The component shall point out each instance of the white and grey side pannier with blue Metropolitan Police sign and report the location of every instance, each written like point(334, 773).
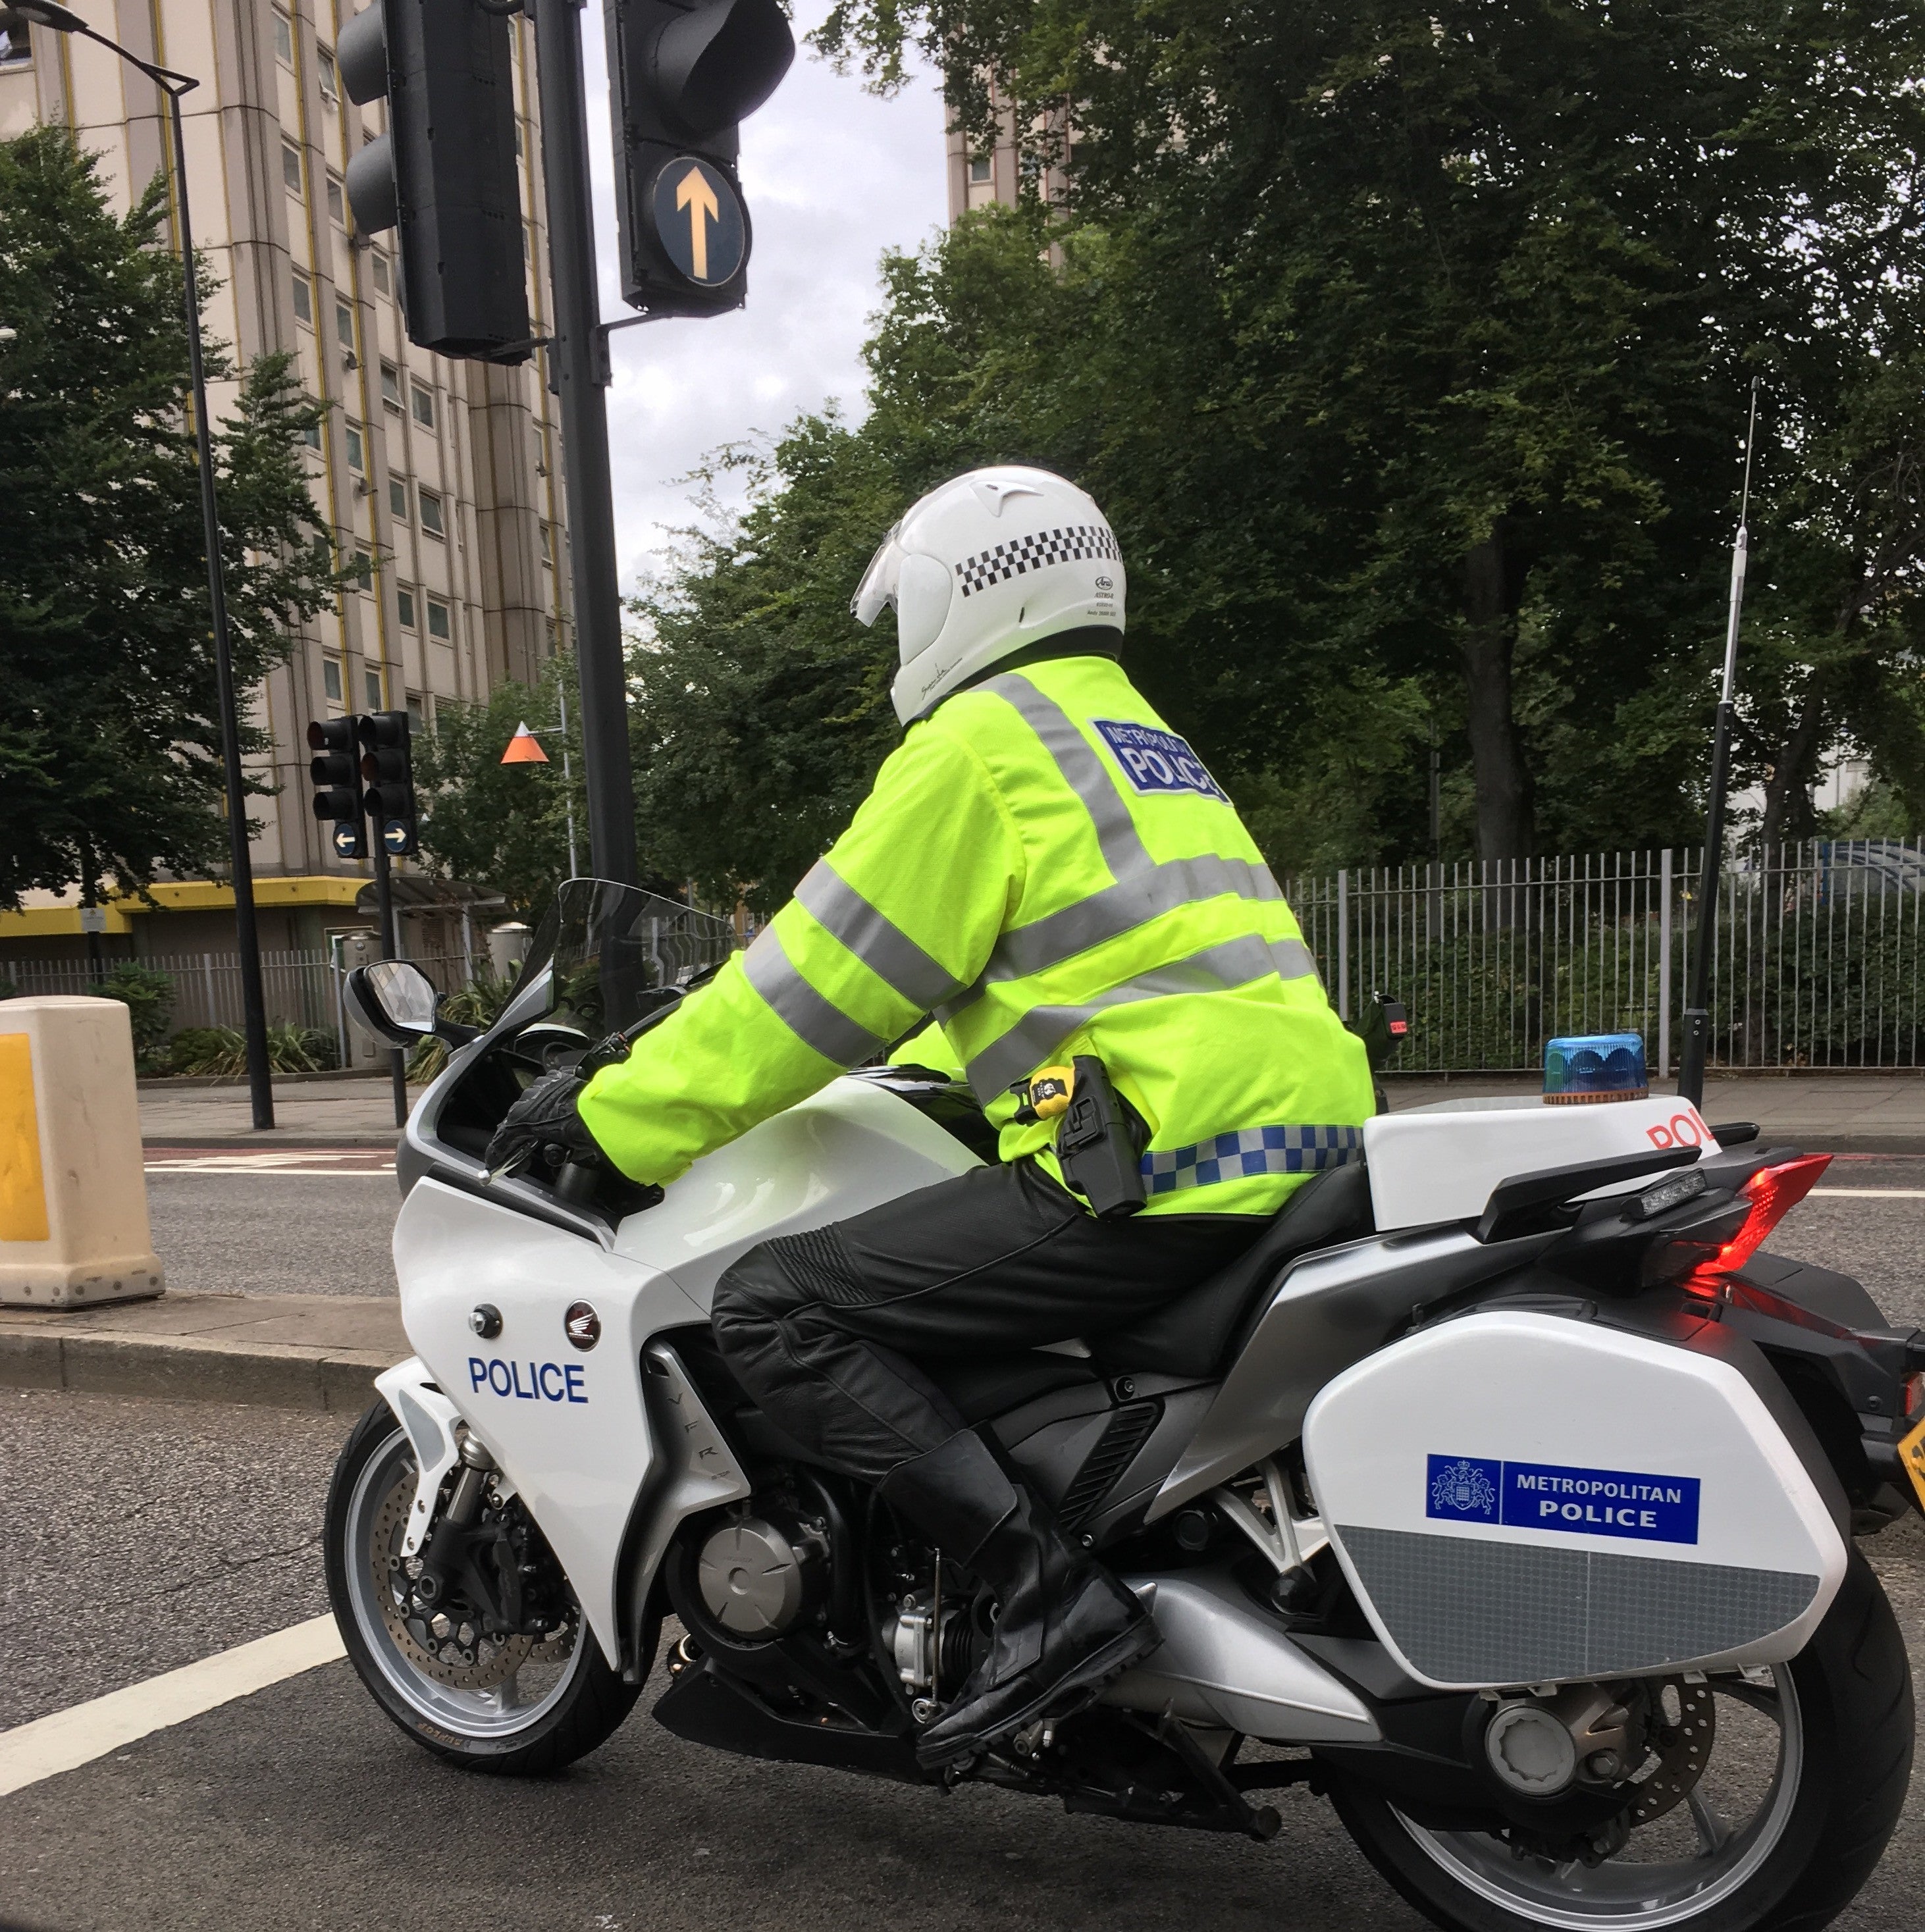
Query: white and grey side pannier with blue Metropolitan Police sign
point(1524, 1498)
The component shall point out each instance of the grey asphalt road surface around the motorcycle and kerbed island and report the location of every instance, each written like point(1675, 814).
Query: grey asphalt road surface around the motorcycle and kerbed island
point(136, 1537)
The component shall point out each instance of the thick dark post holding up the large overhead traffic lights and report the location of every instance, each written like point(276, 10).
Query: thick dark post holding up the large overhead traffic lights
point(579, 378)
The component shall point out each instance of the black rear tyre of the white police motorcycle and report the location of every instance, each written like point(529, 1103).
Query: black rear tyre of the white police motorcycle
point(1841, 1778)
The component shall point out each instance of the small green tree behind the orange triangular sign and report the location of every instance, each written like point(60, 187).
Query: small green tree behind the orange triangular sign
point(494, 824)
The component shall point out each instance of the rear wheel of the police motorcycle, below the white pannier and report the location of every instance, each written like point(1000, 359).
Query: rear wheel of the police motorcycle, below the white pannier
point(1775, 1833)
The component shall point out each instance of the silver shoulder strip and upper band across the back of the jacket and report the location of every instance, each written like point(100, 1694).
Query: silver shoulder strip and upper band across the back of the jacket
point(1143, 890)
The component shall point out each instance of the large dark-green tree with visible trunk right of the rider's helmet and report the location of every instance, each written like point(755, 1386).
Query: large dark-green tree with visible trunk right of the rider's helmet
point(1410, 345)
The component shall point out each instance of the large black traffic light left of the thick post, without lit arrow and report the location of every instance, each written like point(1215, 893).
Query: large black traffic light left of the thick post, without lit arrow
point(444, 173)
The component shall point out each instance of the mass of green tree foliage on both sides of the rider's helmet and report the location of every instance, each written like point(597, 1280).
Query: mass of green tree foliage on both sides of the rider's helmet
point(1408, 349)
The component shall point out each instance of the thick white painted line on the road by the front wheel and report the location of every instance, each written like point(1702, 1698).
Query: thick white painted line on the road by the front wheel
point(74, 1738)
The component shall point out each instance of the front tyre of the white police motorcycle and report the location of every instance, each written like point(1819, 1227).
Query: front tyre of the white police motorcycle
point(500, 1730)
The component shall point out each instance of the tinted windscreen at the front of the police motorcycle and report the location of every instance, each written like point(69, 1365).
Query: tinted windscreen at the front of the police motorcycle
point(616, 948)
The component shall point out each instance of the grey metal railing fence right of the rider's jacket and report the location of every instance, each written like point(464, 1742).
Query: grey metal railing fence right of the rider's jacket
point(1820, 953)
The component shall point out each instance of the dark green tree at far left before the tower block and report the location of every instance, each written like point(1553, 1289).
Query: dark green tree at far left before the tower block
point(111, 731)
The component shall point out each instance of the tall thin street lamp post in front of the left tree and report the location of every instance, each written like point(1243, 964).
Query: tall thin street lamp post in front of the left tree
point(254, 1002)
